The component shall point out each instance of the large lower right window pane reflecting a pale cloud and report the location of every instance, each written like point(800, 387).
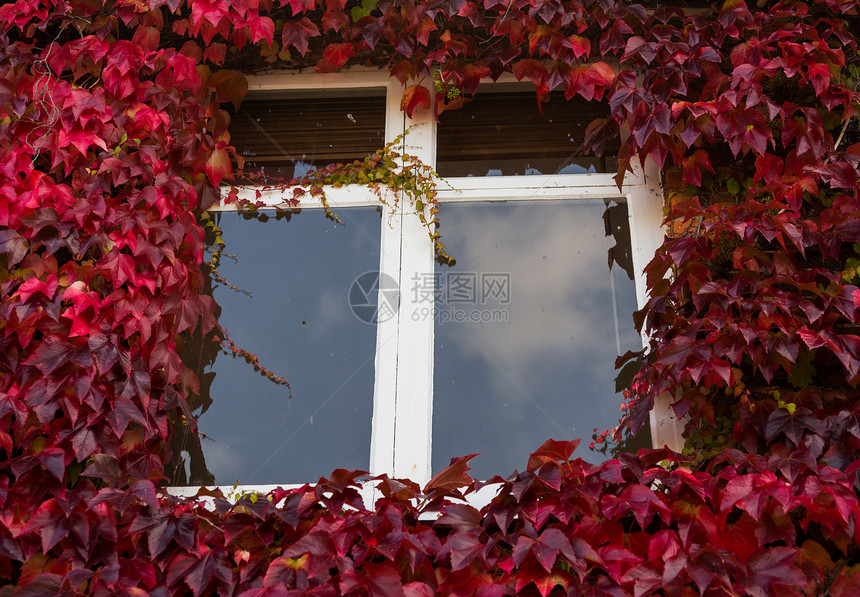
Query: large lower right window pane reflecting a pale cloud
point(544, 367)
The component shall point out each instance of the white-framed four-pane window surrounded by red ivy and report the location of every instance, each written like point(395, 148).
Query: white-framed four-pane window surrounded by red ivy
point(514, 344)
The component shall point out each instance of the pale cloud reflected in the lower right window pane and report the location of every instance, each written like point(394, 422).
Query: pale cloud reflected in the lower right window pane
point(552, 309)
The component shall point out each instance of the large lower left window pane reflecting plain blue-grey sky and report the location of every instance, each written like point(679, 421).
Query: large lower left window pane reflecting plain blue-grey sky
point(300, 326)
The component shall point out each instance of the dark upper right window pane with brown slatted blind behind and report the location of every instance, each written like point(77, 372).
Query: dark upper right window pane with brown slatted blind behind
point(506, 134)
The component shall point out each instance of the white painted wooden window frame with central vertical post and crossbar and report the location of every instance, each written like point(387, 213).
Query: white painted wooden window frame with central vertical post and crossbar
point(402, 425)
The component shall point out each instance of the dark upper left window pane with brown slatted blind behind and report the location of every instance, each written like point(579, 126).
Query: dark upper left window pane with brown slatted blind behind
point(289, 136)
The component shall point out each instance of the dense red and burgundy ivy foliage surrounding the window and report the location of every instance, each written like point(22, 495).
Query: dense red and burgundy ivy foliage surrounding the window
point(112, 141)
